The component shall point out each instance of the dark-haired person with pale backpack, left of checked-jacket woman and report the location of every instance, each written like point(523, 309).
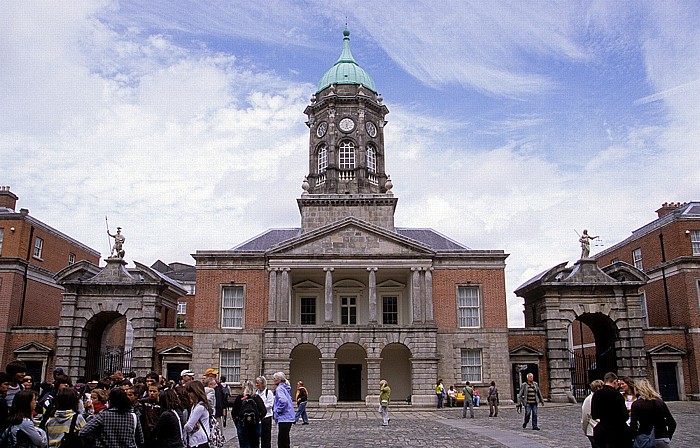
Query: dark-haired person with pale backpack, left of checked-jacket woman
point(66, 422)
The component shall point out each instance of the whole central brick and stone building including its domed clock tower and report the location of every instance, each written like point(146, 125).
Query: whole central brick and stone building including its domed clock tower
point(348, 298)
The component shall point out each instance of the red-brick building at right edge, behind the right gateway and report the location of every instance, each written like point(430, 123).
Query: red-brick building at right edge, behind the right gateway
point(667, 250)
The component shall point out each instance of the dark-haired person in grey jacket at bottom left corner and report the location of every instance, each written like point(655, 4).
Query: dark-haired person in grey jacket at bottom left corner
point(23, 434)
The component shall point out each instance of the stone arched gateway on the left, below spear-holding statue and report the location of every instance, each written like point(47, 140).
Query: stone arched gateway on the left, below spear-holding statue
point(109, 317)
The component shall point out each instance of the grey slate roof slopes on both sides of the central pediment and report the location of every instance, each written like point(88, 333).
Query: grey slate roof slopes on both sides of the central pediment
point(273, 237)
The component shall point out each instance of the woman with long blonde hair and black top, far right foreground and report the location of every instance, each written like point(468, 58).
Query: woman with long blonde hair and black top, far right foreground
point(651, 417)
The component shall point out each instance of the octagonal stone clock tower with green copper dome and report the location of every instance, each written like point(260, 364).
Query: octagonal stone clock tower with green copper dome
point(346, 149)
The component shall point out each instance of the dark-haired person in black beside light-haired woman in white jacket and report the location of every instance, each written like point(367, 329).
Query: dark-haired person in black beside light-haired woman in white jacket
point(248, 411)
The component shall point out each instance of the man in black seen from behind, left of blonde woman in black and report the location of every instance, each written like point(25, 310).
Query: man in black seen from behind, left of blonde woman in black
point(608, 407)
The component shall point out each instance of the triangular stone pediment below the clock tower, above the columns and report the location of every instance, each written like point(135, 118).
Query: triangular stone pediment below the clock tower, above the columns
point(350, 237)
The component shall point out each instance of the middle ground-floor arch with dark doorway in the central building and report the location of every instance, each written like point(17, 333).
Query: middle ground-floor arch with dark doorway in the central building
point(351, 370)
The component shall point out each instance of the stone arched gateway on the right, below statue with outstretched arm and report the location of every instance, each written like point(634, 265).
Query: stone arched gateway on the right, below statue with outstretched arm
point(563, 299)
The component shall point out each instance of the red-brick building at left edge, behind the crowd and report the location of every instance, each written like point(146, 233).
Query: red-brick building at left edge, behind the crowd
point(31, 253)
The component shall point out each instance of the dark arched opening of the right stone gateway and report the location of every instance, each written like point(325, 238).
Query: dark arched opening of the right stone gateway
point(592, 347)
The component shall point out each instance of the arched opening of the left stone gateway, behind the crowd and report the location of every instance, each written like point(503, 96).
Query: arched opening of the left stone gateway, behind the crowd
point(107, 347)
